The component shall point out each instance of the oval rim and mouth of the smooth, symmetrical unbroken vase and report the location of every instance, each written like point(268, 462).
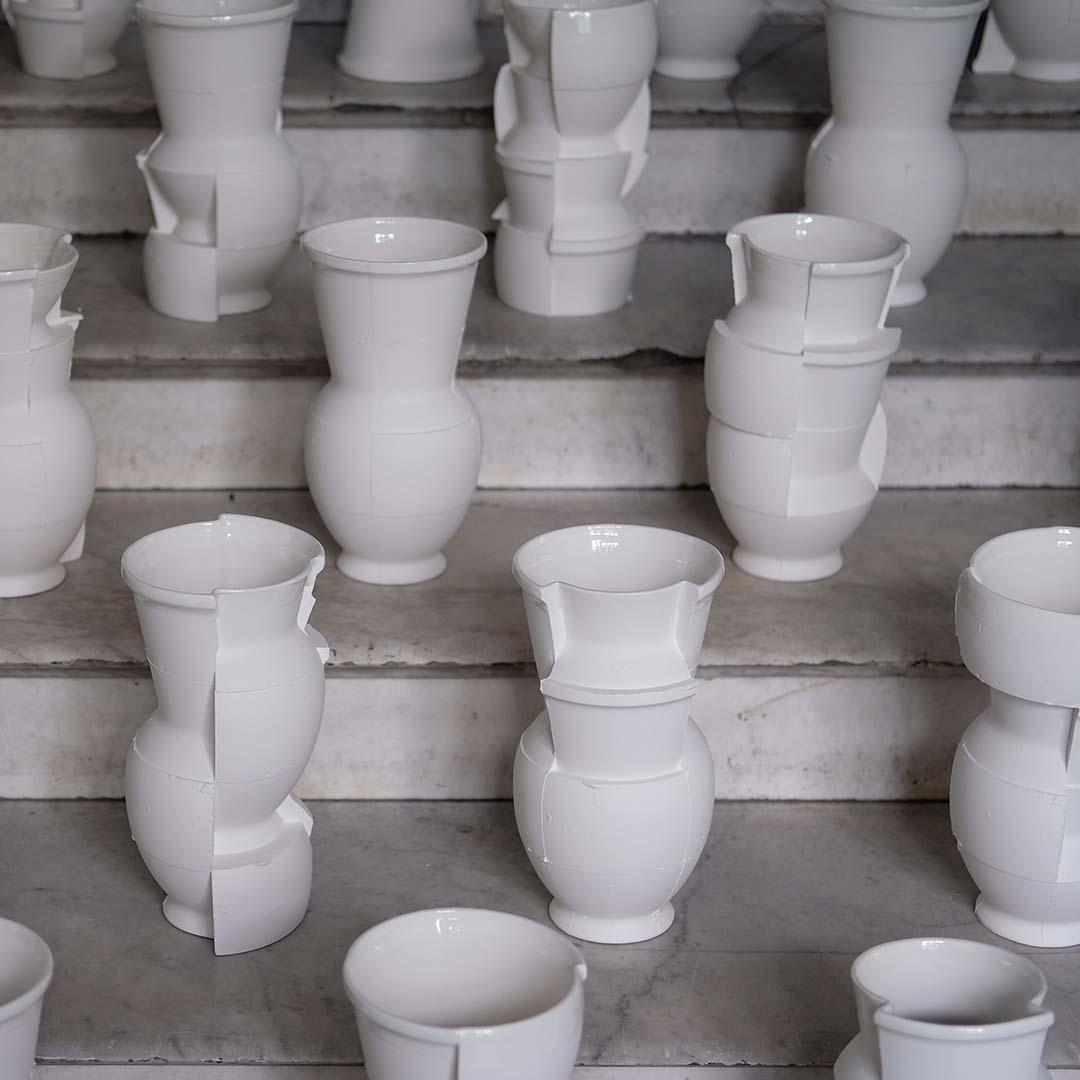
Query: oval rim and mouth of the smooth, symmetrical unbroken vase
point(395, 246)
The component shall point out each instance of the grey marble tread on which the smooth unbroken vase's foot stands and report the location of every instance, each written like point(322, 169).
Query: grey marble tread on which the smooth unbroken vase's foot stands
point(889, 611)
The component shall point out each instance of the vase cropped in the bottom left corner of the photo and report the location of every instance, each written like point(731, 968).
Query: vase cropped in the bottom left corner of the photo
point(26, 970)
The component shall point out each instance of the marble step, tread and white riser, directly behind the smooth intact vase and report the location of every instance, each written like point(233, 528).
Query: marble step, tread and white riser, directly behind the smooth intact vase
point(984, 391)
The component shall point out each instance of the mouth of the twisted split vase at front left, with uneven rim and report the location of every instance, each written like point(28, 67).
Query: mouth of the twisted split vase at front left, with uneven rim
point(235, 553)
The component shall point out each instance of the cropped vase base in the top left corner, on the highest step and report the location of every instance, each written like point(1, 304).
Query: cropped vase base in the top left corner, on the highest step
point(67, 39)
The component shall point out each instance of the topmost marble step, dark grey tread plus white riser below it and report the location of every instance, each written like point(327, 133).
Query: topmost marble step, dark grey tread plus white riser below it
point(720, 153)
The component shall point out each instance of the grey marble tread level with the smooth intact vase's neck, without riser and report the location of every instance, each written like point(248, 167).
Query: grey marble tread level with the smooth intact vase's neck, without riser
point(993, 302)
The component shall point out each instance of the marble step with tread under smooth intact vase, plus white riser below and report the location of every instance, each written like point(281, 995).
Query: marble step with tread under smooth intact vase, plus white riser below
point(852, 688)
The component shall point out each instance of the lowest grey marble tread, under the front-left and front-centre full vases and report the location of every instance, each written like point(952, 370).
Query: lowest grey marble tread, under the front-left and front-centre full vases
point(753, 977)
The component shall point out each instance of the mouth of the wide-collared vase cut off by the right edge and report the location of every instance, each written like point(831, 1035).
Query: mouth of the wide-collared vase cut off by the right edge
point(1038, 569)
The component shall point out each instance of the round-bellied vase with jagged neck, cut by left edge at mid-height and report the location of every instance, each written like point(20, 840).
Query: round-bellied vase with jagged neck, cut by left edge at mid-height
point(48, 452)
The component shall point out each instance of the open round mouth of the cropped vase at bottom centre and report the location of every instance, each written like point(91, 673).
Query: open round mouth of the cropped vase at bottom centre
point(442, 974)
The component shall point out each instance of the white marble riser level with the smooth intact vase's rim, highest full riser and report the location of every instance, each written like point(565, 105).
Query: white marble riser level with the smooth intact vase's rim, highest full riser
point(1023, 182)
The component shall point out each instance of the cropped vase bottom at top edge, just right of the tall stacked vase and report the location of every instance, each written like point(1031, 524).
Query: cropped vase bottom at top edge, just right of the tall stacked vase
point(701, 39)
